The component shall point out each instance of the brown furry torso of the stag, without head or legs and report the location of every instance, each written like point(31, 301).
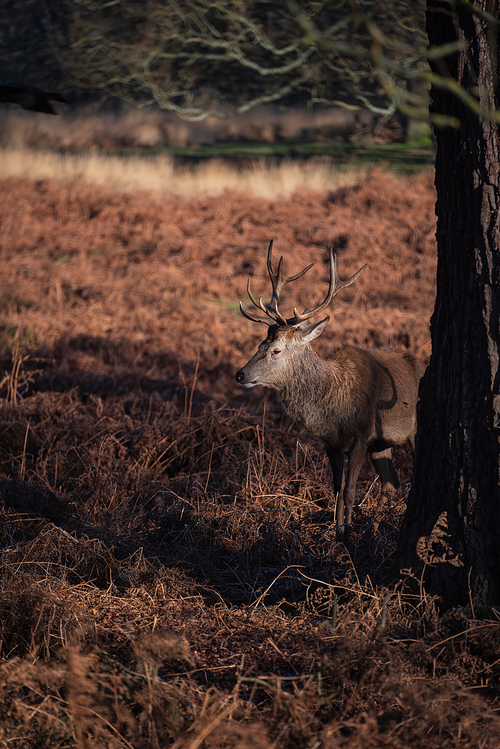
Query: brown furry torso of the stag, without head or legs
point(355, 395)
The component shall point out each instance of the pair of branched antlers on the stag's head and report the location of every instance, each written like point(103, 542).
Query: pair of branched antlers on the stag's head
point(279, 281)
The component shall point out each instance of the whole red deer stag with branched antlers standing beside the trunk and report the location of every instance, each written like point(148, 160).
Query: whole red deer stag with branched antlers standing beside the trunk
point(355, 400)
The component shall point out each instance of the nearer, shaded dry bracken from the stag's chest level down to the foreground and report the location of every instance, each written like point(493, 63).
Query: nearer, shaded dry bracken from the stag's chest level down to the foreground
point(171, 577)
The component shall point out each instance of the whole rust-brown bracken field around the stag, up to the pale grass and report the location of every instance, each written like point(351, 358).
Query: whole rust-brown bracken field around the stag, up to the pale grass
point(170, 575)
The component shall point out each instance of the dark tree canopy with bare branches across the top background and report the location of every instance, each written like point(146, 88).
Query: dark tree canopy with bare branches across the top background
point(202, 58)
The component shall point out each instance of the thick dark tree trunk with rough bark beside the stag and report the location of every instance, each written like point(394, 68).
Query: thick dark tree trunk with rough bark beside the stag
point(457, 461)
